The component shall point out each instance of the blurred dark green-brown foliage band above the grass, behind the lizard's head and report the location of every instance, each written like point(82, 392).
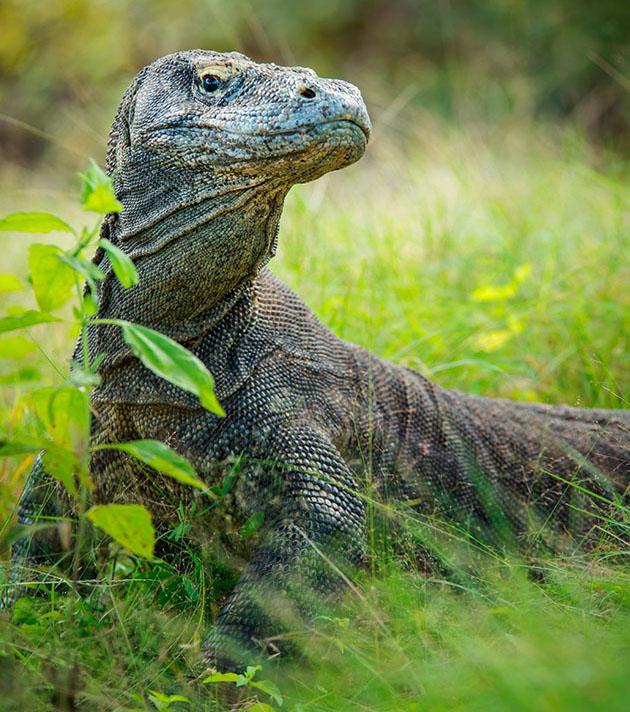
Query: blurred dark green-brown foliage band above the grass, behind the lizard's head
point(65, 63)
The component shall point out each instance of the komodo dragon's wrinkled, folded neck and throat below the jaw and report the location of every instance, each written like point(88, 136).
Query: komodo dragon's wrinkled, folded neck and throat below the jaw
point(194, 259)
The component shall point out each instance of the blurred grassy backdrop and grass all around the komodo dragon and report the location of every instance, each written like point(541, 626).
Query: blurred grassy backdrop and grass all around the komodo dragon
point(483, 240)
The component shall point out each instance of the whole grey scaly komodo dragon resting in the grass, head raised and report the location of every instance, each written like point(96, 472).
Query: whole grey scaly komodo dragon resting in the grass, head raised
point(203, 151)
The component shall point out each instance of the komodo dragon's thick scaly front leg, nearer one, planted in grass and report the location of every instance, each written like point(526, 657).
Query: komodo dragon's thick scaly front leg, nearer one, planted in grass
point(315, 527)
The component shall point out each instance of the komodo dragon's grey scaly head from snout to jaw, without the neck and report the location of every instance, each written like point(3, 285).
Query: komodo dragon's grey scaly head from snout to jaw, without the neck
point(203, 111)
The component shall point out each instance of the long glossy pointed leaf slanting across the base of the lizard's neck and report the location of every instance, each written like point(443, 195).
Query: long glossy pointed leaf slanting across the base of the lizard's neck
point(173, 362)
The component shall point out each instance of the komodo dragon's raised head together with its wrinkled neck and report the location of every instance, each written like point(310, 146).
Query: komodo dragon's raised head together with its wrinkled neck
point(203, 150)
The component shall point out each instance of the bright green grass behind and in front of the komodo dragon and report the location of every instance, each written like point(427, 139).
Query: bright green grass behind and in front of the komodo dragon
point(493, 260)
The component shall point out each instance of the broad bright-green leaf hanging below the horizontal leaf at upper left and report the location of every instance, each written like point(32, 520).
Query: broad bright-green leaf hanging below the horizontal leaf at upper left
point(53, 280)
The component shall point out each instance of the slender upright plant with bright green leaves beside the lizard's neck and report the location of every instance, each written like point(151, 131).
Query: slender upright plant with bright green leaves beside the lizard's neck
point(64, 410)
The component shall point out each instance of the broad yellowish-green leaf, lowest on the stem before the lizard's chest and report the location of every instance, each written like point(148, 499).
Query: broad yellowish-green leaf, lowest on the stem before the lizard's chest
point(128, 524)
